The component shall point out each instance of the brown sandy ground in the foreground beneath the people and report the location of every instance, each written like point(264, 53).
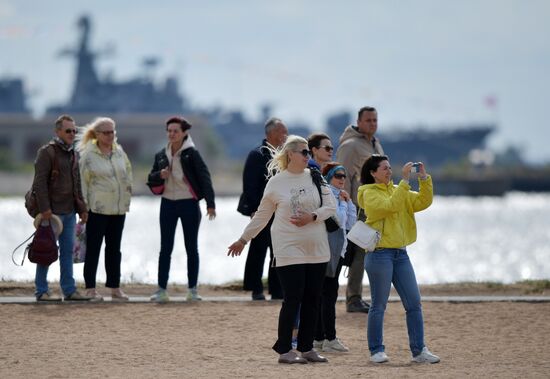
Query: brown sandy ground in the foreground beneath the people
point(233, 340)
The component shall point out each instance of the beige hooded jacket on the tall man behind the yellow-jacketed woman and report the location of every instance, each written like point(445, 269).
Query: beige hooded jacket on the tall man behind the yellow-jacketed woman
point(353, 151)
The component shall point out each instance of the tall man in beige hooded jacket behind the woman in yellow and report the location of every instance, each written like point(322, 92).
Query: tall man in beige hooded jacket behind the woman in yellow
point(357, 143)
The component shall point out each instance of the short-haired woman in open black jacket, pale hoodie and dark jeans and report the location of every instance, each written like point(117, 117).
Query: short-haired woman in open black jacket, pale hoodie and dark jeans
point(181, 176)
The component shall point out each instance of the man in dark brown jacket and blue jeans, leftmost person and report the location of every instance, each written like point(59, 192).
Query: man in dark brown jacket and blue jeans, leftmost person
point(58, 192)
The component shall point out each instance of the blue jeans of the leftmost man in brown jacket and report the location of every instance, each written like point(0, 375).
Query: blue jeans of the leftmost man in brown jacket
point(66, 242)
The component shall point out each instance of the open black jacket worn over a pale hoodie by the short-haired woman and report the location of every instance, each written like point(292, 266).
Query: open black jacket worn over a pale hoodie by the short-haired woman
point(194, 169)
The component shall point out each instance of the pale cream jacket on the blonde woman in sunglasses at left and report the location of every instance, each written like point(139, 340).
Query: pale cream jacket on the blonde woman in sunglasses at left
point(106, 180)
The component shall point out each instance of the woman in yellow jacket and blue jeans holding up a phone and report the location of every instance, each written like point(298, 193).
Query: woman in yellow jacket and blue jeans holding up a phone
point(390, 209)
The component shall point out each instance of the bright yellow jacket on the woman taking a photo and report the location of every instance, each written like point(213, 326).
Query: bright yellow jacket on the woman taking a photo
point(390, 209)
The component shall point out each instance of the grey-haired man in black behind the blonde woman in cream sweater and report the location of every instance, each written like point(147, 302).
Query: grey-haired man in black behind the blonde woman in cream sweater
point(254, 182)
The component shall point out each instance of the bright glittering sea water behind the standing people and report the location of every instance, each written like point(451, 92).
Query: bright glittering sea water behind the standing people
point(502, 239)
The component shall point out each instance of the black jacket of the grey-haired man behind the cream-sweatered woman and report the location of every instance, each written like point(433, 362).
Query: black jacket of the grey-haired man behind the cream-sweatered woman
point(254, 179)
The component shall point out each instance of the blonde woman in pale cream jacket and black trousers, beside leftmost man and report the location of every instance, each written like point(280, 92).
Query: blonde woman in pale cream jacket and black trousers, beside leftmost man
point(106, 175)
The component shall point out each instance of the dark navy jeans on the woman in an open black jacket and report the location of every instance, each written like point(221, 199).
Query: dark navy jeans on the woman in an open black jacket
point(188, 211)
